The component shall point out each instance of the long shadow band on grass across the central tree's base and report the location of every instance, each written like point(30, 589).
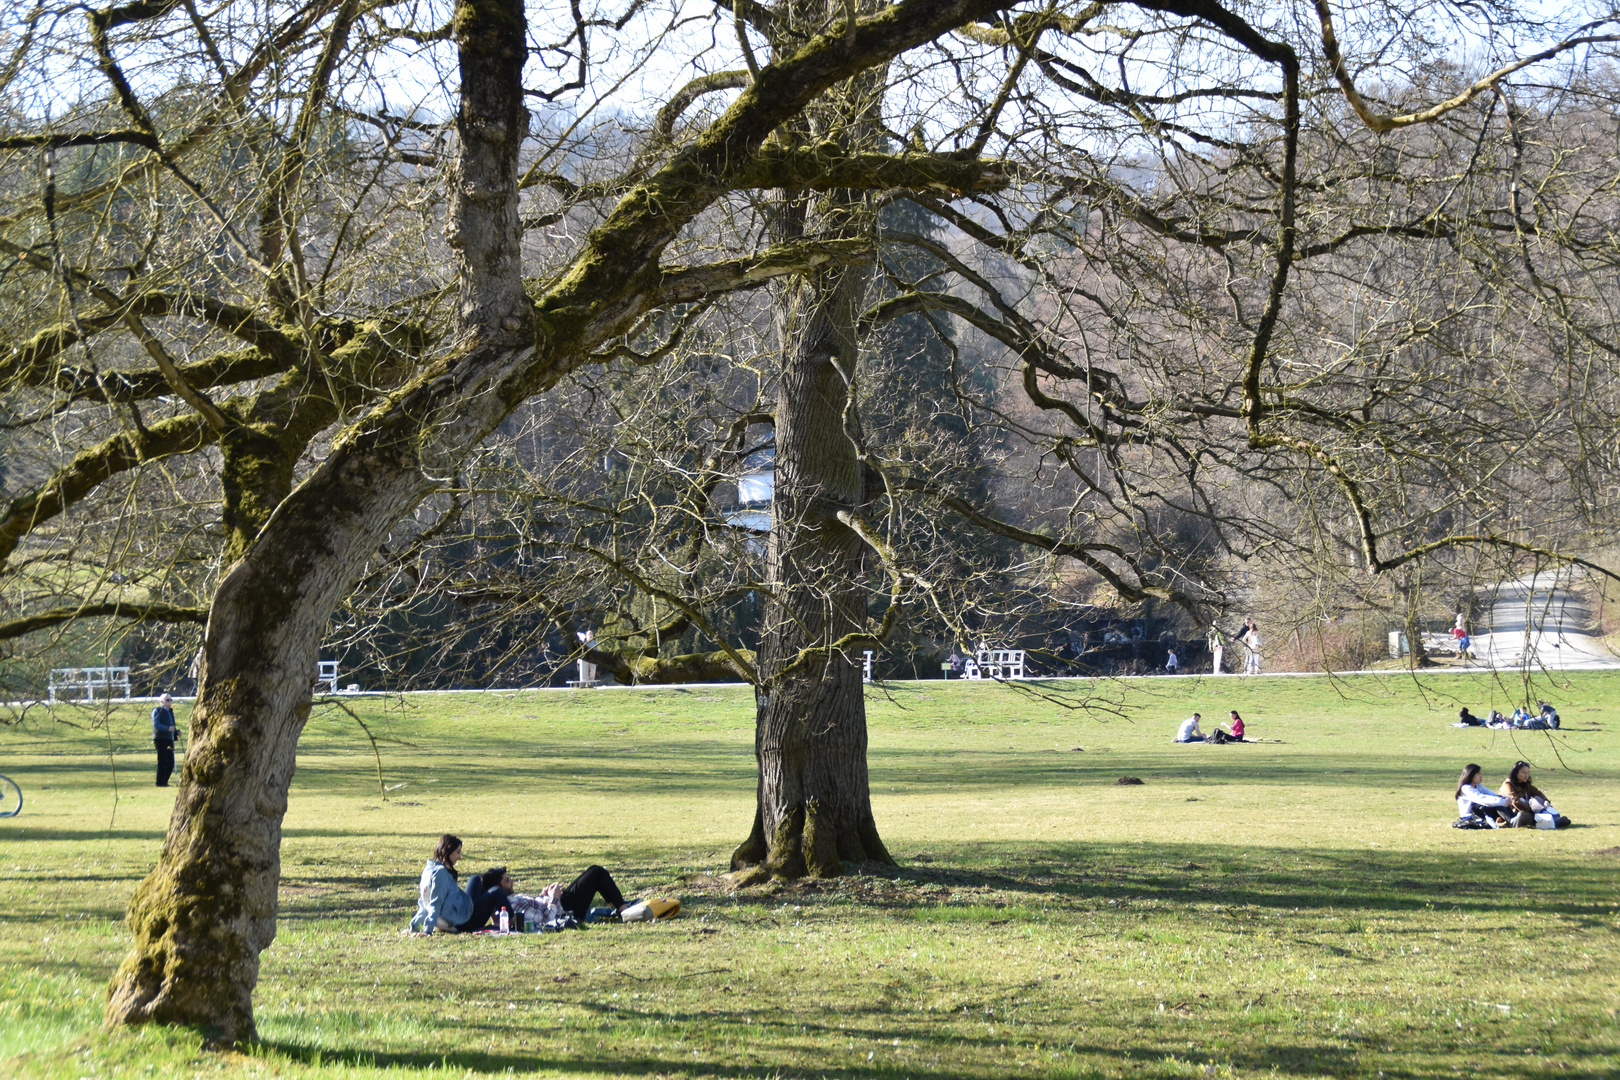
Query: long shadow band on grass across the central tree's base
point(1065, 880)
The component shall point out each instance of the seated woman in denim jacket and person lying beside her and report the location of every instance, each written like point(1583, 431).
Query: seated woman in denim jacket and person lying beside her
point(445, 906)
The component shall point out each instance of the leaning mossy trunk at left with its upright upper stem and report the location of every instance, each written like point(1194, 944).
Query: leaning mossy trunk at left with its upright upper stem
point(208, 911)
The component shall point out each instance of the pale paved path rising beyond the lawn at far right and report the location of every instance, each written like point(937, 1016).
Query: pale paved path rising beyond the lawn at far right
point(1543, 623)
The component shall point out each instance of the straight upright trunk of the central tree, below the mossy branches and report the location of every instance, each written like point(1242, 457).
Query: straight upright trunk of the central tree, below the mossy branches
point(814, 809)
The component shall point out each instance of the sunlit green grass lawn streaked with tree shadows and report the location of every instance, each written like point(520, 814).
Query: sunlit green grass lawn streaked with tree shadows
point(1297, 908)
